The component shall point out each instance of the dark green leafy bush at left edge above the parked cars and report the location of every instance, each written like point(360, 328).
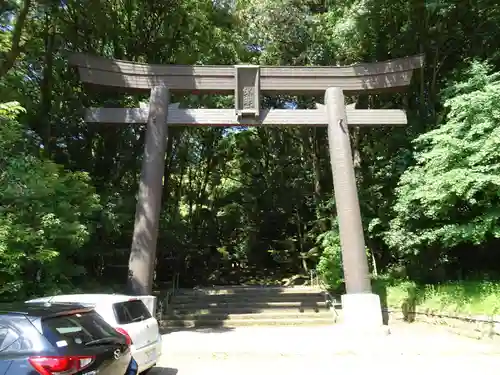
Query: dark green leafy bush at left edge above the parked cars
point(45, 217)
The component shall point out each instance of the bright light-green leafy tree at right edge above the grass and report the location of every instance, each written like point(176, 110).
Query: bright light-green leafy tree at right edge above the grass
point(450, 196)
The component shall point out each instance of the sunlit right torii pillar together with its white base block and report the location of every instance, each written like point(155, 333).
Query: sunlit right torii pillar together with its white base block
point(360, 307)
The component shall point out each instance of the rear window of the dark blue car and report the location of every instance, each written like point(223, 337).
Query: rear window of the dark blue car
point(76, 329)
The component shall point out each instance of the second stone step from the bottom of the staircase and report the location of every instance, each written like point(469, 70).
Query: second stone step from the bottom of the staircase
point(251, 316)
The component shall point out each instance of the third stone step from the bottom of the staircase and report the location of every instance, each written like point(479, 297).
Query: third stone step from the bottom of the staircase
point(247, 309)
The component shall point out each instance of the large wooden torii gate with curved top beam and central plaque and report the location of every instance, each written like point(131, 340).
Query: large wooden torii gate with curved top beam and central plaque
point(248, 82)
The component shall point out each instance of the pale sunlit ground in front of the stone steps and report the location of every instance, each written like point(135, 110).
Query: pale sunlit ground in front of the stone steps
point(410, 348)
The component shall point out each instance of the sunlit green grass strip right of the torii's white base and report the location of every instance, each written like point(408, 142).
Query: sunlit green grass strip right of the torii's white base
point(464, 298)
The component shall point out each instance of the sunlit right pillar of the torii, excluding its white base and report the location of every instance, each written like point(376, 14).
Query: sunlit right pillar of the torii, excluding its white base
point(354, 260)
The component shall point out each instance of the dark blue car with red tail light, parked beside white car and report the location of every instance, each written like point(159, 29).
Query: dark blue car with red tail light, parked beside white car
point(55, 339)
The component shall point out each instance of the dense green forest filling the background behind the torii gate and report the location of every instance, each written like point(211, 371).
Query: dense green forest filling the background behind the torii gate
point(253, 203)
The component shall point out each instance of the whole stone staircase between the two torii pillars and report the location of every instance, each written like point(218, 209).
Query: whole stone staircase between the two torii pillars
point(236, 306)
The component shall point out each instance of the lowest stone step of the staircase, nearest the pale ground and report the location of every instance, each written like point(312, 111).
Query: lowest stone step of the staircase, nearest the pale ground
point(246, 322)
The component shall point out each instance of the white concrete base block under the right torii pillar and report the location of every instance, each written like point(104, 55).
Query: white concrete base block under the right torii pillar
point(362, 312)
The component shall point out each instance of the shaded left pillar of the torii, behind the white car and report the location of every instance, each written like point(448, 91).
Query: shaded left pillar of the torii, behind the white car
point(147, 215)
